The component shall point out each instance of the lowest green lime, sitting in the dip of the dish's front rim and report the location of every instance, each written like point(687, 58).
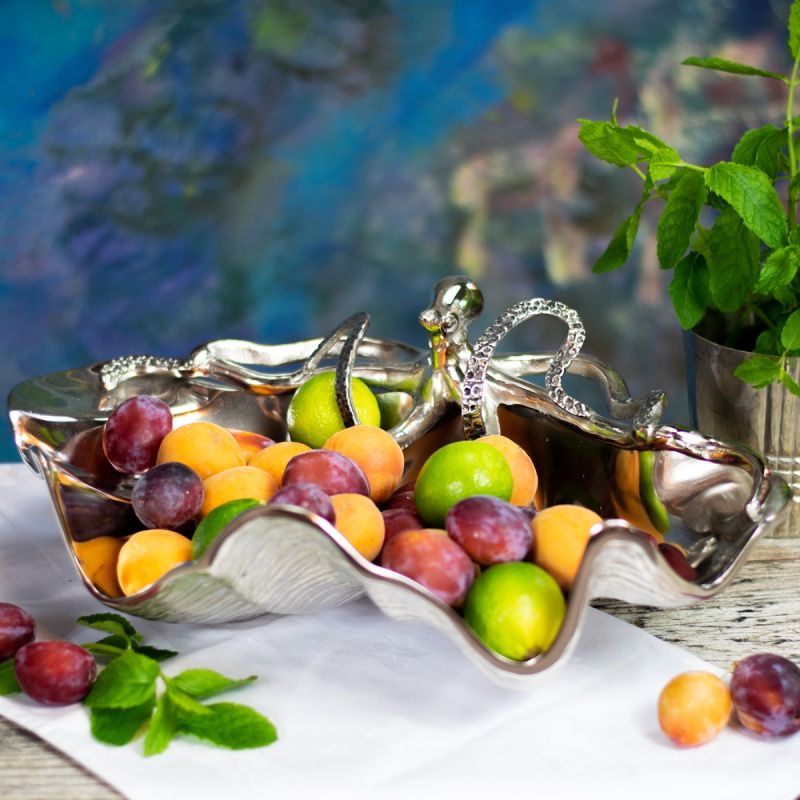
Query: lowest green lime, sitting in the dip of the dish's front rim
point(515, 608)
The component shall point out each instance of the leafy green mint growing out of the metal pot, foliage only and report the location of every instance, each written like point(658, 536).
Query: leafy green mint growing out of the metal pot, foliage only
point(723, 228)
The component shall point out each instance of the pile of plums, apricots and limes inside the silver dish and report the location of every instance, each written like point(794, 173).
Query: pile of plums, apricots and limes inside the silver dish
point(467, 529)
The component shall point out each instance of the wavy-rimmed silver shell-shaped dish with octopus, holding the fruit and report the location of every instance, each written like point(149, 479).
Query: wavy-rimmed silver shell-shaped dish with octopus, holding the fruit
point(719, 499)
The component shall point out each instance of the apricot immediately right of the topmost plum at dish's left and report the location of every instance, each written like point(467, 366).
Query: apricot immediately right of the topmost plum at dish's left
point(205, 447)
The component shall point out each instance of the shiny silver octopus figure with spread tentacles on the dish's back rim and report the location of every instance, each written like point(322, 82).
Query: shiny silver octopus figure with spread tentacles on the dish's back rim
point(417, 386)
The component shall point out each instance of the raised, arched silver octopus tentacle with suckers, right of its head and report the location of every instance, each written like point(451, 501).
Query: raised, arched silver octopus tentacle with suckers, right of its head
point(472, 392)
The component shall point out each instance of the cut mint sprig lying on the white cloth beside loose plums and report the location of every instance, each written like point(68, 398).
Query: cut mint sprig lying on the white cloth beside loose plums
point(125, 698)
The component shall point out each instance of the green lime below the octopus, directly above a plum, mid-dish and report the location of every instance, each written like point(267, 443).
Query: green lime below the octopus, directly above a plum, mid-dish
point(456, 471)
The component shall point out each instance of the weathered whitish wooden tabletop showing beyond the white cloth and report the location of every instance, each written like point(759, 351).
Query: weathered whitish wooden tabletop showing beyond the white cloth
point(759, 612)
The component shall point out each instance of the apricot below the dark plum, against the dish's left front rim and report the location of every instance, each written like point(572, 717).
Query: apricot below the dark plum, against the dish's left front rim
point(147, 555)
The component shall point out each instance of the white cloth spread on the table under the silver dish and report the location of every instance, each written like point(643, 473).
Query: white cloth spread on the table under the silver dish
point(369, 707)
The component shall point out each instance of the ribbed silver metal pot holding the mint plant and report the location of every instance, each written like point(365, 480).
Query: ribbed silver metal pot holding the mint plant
point(765, 420)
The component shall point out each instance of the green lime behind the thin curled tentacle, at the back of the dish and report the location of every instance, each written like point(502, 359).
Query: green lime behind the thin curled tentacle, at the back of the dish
point(313, 416)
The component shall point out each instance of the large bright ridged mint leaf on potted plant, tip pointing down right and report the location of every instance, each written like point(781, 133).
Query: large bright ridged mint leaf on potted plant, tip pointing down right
point(751, 193)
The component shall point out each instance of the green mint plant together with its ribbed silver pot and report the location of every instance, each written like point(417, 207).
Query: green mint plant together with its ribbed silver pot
point(730, 234)
